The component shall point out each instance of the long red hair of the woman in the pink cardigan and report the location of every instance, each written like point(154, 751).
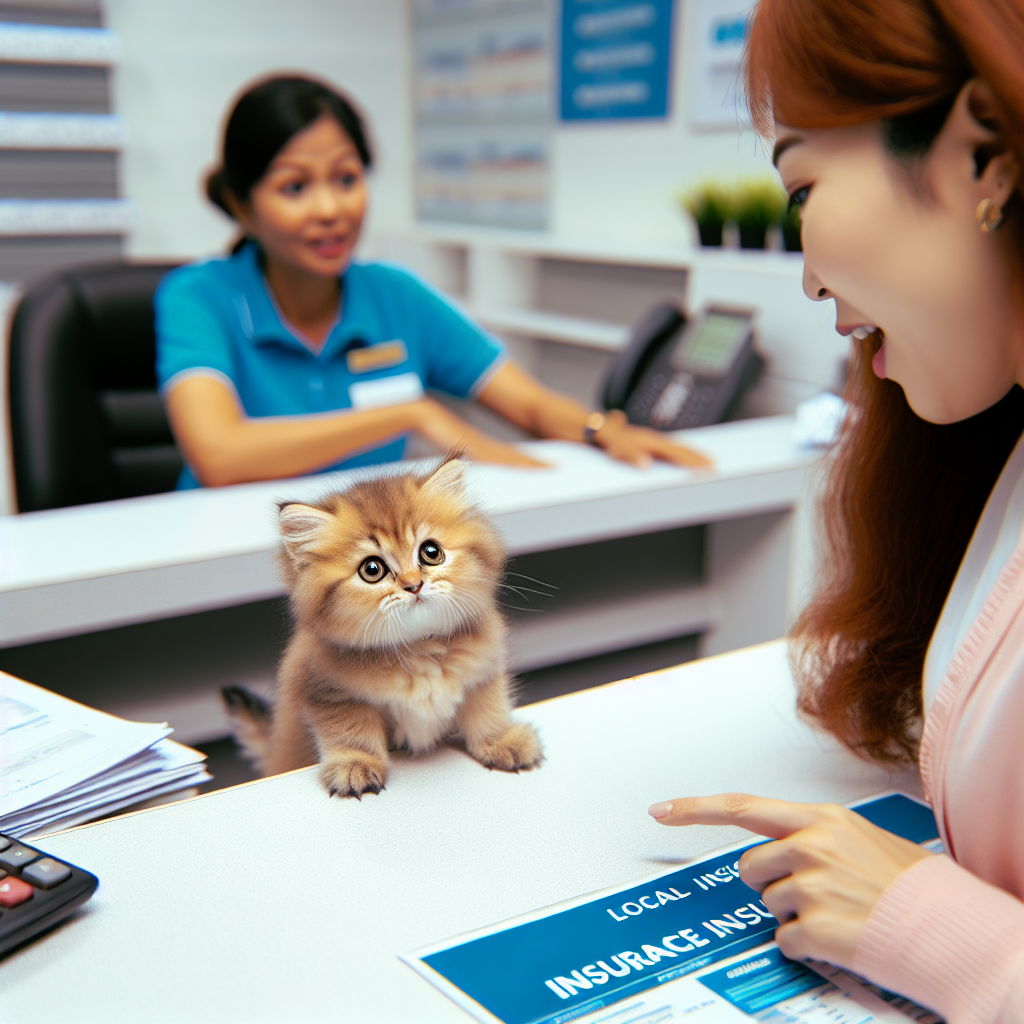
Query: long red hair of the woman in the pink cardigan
point(903, 496)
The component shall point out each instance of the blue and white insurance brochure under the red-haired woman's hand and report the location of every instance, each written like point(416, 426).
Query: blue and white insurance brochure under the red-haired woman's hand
point(692, 943)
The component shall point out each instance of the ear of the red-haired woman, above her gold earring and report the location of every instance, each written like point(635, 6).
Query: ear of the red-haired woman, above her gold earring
point(974, 130)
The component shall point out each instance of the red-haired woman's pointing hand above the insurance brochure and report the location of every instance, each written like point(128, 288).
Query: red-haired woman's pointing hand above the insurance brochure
point(824, 876)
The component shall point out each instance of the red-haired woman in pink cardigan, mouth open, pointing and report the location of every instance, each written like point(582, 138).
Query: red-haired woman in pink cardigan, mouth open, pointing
point(899, 132)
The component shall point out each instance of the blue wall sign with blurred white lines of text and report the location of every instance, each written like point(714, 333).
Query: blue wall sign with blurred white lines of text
point(616, 59)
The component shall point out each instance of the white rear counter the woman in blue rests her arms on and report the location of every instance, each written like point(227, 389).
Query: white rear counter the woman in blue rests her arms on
point(97, 567)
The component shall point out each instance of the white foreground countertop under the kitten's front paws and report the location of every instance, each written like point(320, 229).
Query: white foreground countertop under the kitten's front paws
point(271, 903)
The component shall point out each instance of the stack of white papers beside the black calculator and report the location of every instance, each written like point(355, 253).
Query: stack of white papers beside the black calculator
point(63, 764)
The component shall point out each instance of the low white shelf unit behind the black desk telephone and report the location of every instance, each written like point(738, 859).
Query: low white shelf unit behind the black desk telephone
point(565, 307)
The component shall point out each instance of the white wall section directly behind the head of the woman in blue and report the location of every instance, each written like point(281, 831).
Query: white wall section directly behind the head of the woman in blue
point(184, 61)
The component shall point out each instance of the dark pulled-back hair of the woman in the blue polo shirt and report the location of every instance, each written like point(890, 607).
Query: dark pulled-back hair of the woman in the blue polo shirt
point(264, 122)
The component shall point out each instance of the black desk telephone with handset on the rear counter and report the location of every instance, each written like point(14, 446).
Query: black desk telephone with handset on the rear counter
point(675, 374)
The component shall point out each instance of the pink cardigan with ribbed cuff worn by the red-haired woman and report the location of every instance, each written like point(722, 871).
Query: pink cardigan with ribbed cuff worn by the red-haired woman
point(950, 932)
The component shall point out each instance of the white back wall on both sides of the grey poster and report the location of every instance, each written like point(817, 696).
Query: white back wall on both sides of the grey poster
point(185, 60)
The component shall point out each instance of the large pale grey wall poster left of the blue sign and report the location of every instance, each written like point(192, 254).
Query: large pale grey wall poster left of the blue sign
point(483, 111)
